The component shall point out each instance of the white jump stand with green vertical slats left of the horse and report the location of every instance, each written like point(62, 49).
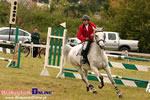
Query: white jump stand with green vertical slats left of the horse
point(54, 57)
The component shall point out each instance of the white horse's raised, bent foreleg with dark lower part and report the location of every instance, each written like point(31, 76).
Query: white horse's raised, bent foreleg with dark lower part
point(100, 77)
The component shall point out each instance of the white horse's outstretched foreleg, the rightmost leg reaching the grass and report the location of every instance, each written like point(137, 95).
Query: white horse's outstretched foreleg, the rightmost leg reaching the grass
point(107, 69)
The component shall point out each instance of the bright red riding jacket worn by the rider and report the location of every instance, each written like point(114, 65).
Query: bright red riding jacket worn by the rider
point(83, 32)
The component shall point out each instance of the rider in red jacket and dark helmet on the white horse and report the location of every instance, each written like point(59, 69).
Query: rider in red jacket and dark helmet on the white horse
point(86, 34)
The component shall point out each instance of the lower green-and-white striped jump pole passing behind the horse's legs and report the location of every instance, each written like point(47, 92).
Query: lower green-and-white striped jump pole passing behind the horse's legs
point(118, 80)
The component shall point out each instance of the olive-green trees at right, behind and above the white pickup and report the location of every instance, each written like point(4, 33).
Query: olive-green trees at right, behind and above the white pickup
point(131, 19)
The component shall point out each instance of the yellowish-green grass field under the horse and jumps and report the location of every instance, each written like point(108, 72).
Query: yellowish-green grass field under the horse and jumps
point(65, 89)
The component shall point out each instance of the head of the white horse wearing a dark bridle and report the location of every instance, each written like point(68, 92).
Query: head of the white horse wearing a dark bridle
point(99, 37)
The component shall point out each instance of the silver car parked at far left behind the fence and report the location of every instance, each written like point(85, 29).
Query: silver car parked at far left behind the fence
point(23, 35)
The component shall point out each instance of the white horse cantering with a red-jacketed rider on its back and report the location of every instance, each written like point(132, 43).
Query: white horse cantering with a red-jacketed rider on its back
point(97, 60)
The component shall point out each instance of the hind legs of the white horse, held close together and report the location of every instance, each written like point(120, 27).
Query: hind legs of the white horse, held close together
point(85, 80)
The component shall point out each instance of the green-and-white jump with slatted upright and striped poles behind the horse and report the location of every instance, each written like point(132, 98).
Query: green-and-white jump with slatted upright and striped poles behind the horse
point(54, 59)
